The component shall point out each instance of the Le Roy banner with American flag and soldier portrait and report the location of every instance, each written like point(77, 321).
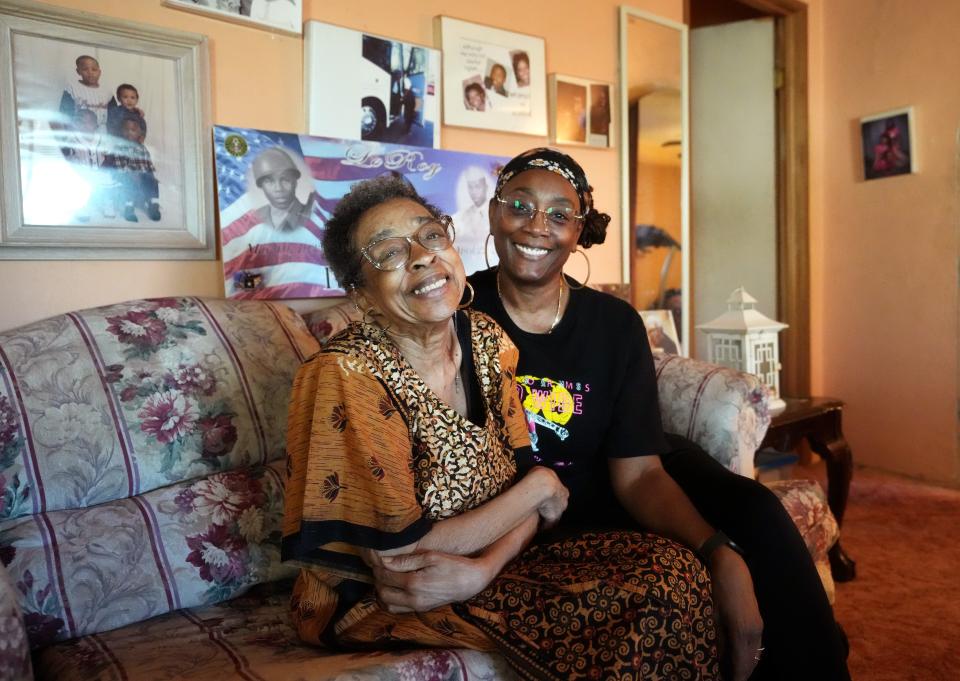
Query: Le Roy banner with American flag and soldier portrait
point(276, 190)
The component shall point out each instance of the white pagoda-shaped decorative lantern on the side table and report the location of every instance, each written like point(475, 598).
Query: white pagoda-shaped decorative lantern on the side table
point(744, 339)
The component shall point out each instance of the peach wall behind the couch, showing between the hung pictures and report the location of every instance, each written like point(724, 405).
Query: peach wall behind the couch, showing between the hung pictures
point(257, 81)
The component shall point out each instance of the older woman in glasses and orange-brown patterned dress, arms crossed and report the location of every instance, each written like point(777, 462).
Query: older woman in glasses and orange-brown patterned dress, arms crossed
point(403, 434)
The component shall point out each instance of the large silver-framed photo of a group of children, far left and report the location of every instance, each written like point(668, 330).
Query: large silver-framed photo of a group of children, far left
point(104, 138)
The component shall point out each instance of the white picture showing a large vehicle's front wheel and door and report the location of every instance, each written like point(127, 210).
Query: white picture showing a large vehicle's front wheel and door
point(363, 86)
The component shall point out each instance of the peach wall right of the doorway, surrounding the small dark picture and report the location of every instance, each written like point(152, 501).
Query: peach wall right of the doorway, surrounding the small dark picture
point(884, 252)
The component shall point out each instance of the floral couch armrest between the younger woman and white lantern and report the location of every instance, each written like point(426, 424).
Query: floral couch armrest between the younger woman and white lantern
point(722, 410)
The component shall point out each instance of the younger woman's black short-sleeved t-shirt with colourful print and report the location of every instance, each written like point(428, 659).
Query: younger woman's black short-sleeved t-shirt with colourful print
point(589, 391)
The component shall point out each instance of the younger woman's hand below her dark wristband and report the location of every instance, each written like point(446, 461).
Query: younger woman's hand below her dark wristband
point(738, 611)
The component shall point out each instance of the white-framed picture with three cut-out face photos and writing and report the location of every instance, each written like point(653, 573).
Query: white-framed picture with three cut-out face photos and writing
point(492, 78)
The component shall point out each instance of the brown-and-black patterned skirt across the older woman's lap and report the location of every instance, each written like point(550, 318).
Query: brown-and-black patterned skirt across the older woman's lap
point(607, 605)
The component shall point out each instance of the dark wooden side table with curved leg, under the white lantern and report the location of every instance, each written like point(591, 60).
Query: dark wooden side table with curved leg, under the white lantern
point(818, 420)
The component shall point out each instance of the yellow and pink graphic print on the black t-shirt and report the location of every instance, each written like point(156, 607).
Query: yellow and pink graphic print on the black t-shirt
point(550, 404)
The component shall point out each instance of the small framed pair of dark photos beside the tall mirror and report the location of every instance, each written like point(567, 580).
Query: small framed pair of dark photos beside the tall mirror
point(580, 111)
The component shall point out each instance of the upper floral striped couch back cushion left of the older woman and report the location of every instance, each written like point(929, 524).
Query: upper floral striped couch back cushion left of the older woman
point(114, 401)
